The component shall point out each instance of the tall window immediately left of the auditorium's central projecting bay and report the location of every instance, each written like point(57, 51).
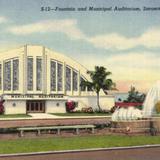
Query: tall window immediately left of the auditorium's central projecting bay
point(15, 74)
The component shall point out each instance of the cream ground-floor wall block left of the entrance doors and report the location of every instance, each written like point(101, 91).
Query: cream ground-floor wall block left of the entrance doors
point(15, 107)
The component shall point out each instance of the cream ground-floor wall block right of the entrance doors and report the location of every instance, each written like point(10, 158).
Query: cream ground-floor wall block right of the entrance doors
point(55, 106)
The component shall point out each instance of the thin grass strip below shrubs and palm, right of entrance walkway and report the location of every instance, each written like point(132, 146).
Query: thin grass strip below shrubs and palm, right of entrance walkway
point(81, 114)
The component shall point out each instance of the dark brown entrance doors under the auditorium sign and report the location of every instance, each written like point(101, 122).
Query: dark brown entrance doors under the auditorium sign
point(35, 106)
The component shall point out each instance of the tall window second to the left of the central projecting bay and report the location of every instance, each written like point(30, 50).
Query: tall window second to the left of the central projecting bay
point(7, 76)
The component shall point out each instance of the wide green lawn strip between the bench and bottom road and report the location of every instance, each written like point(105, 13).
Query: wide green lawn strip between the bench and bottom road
point(69, 143)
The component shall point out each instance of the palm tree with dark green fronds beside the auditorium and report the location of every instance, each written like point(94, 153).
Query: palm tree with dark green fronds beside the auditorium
point(99, 81)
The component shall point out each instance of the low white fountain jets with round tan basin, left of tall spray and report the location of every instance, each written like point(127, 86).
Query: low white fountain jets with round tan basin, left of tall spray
point(131, 118)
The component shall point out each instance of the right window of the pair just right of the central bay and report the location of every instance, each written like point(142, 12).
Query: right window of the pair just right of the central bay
point(59, 76)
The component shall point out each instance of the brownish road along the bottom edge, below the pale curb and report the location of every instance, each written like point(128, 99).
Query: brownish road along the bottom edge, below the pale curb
point(128, 154)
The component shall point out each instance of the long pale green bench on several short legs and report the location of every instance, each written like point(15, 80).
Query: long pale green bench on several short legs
point(58, 128)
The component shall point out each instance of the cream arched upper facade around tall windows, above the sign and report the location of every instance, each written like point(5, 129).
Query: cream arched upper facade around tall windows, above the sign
point(30, 51)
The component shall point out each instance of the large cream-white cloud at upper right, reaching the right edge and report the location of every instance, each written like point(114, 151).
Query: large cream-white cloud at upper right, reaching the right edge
point(149, 39)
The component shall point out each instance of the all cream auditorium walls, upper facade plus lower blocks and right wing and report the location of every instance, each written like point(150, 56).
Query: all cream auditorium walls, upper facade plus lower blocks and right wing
point(85, 98)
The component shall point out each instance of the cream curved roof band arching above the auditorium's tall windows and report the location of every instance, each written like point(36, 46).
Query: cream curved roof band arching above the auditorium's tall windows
point(38, 50)
